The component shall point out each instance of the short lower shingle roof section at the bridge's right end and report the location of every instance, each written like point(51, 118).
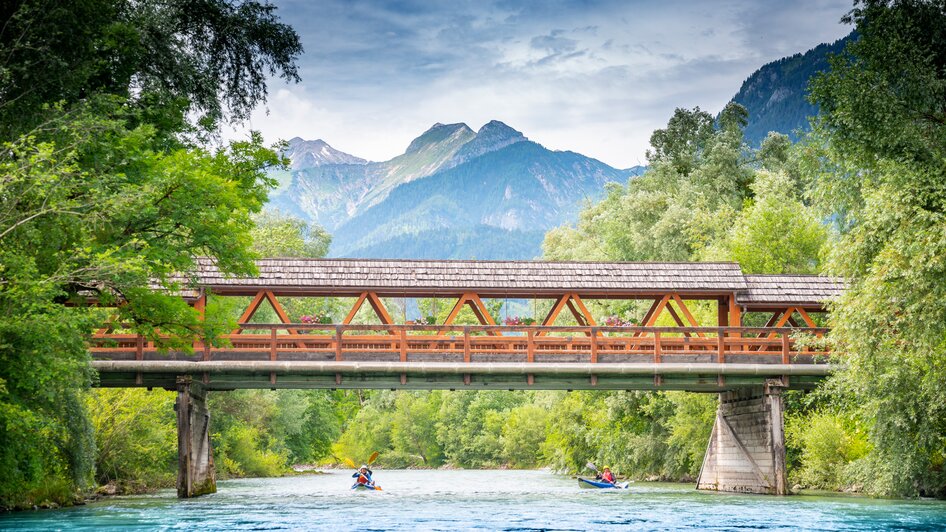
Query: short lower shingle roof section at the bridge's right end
point(789, 289)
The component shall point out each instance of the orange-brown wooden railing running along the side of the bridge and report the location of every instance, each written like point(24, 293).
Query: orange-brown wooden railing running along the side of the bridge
point(476, 343)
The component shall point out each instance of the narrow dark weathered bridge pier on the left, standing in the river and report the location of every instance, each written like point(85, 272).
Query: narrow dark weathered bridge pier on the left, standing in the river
point(195, 462)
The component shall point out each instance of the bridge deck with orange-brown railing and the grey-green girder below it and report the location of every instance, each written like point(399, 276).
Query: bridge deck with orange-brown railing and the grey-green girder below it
point(475, 357)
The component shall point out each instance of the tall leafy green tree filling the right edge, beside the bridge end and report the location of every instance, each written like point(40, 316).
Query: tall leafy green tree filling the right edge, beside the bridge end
point(878, 160)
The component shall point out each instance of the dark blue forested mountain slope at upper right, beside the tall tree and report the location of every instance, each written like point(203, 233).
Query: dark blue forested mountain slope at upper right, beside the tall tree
point(775, 95)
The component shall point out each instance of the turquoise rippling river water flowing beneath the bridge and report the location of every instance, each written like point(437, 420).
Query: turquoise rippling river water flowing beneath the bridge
point(486, 500)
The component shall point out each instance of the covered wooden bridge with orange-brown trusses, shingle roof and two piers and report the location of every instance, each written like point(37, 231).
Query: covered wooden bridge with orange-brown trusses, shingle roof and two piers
point(721, 354)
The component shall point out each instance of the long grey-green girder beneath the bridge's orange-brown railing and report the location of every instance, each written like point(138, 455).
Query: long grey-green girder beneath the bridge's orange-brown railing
point(223, 375)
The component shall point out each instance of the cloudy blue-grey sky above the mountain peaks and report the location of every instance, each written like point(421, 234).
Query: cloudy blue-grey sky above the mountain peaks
point(594, 77)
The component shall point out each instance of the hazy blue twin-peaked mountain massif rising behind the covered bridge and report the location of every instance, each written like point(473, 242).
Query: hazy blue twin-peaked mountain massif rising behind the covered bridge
point(453, 193)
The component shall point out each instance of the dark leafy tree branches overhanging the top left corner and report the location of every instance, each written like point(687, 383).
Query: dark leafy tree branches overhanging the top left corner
point(212, 56)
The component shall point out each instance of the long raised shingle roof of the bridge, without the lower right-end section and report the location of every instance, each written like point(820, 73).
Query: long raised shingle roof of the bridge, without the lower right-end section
point(430, 277)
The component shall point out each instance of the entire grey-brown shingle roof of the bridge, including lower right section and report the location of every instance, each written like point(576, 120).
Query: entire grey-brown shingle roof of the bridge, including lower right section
point(441, 278)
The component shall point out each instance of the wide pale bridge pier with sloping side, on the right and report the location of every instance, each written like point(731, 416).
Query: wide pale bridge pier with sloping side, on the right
point(746, 451)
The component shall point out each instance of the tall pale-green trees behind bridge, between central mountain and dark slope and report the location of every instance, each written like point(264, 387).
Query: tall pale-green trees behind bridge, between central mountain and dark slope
point(697, 179)
